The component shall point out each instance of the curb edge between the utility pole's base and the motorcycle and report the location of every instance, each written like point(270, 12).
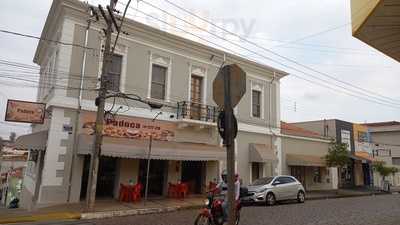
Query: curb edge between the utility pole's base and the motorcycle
point(134, 212)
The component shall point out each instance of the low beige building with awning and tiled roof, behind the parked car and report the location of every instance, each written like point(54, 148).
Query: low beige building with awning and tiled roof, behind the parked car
point(303, 157)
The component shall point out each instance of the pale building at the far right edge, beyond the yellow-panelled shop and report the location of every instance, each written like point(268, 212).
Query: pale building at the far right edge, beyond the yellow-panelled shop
point(385, 137)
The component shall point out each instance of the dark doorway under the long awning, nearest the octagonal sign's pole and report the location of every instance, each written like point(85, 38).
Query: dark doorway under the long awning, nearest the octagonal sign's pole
point(193, 173)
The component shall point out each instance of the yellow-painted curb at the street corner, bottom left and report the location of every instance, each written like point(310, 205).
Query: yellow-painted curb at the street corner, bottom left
point(41, 217)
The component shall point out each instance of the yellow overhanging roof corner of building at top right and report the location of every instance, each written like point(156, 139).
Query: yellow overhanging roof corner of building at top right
point(375, 22)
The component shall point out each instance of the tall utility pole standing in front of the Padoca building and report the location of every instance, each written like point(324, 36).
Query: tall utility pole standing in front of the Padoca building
point(95, 157)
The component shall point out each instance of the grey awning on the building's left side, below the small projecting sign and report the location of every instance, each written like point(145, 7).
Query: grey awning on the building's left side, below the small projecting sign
point(34, 141)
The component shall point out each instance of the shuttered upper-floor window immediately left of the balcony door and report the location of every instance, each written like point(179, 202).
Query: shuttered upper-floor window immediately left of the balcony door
point(159, 74)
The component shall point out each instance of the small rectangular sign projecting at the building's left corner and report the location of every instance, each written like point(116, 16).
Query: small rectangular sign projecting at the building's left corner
point(25, 112)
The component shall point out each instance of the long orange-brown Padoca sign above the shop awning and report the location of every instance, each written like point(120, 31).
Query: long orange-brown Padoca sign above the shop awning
point(130, 127)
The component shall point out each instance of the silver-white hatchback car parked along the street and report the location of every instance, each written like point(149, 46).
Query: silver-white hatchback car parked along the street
point(269, 190)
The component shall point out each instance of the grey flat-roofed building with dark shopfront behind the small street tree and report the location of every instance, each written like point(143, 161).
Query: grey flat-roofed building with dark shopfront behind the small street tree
point(359, 171)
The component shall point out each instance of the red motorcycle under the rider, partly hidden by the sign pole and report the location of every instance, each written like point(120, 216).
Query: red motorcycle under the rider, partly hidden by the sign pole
point(212, 213)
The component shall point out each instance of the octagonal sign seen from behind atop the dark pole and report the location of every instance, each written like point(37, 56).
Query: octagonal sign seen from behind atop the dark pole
point(237, 79)
